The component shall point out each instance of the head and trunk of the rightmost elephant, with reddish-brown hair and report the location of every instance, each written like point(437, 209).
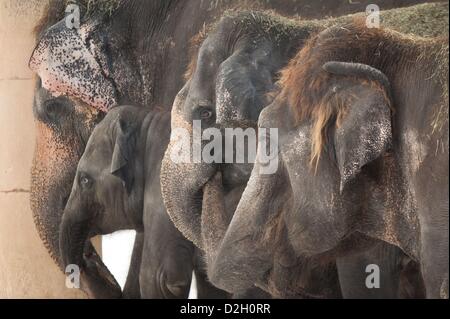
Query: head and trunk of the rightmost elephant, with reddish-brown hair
point(335, 128)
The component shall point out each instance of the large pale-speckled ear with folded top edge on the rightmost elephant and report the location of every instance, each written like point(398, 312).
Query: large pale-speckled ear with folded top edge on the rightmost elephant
point(364, 131)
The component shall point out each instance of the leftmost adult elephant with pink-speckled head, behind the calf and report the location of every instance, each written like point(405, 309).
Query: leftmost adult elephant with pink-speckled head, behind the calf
point(132, 51)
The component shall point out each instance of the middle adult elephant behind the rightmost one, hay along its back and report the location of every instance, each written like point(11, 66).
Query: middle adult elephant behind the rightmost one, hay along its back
point(244, 66)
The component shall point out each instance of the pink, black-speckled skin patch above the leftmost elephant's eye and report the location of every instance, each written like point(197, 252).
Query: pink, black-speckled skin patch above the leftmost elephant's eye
point(66, 66)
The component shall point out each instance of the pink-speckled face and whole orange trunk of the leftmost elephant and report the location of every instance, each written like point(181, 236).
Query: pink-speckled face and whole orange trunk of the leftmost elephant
point(64, 120)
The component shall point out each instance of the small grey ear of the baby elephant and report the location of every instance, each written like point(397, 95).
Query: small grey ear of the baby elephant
point(124, 148)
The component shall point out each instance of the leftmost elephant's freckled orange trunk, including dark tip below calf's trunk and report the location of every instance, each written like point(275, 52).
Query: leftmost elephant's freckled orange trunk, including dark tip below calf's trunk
point(53, 171)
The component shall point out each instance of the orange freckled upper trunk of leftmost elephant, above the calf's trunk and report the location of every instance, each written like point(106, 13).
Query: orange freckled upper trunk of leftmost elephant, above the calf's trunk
point(53, 170)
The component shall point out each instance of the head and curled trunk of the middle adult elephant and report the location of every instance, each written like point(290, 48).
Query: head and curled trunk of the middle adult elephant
point(226, 91)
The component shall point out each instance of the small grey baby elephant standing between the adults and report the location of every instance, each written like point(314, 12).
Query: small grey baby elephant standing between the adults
point(117, 186)
